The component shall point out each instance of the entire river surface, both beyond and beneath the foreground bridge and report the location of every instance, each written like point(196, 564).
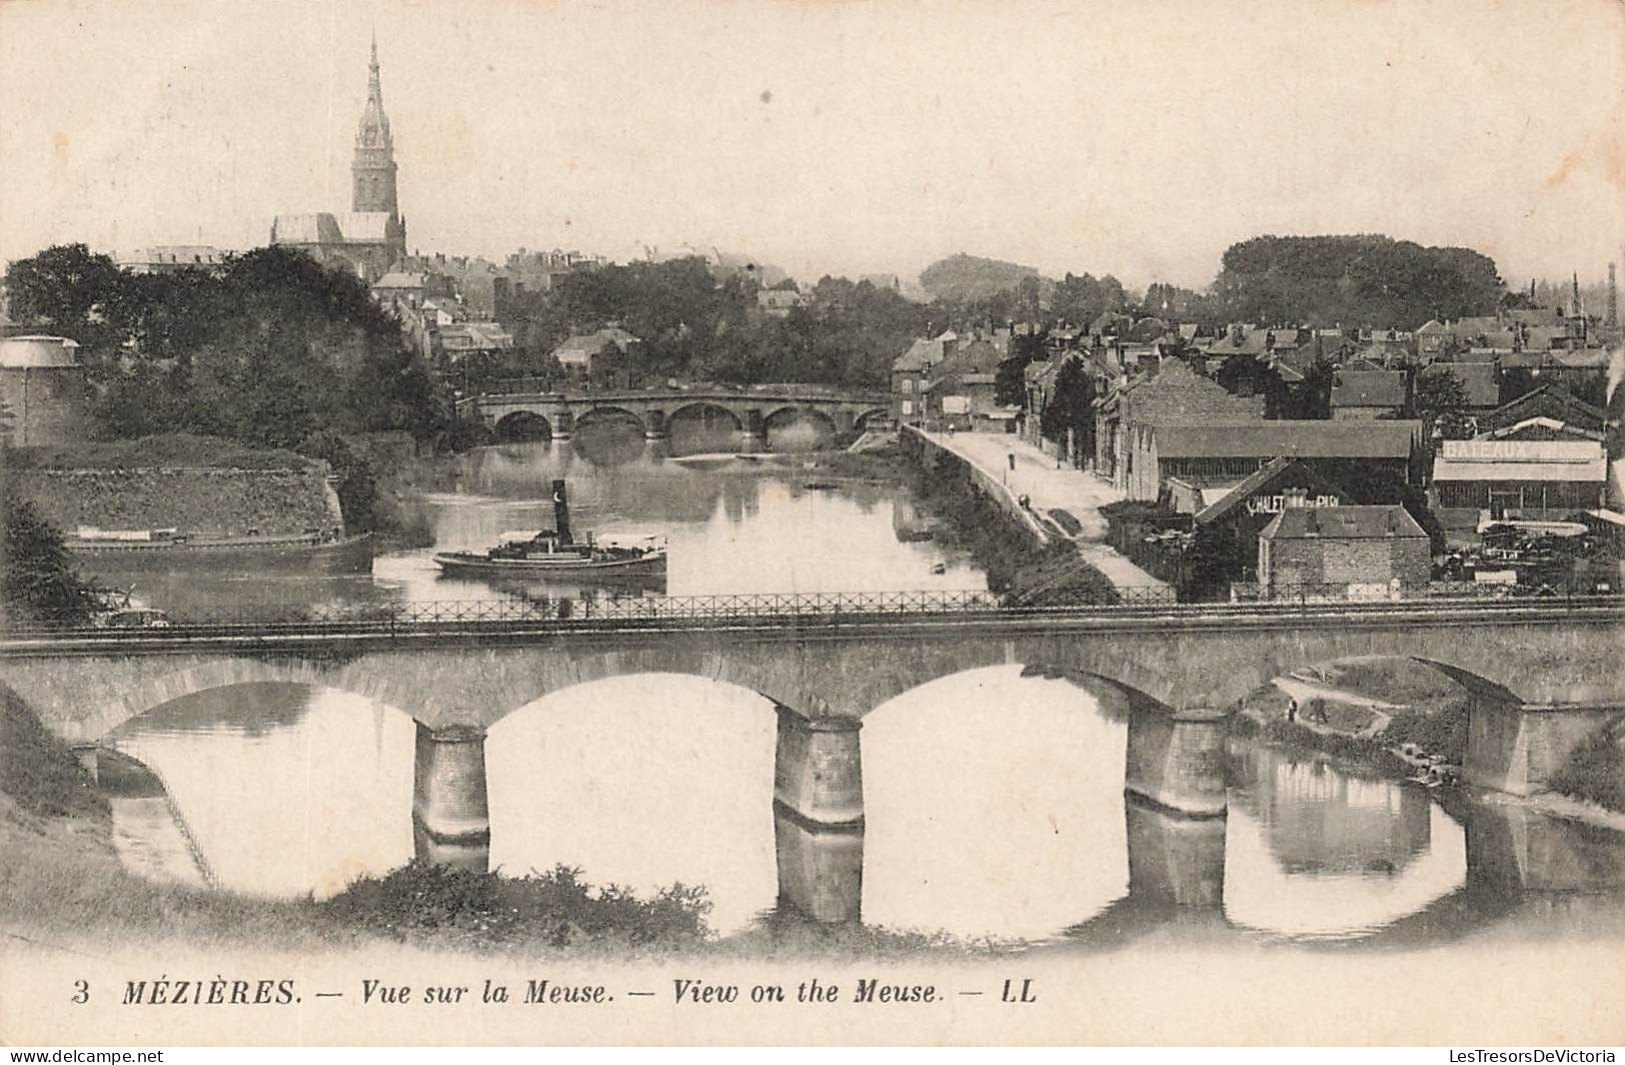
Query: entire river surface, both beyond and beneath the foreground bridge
point(995, 802)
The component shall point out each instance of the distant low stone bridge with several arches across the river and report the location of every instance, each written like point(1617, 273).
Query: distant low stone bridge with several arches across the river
point(755, 411)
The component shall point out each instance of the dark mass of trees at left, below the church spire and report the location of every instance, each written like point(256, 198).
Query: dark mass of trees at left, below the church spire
point(272, 352)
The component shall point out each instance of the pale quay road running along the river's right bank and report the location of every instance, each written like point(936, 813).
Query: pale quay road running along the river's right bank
point(1051, 489)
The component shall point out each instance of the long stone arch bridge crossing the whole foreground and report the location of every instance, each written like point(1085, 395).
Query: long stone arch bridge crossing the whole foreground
point(1540, 679)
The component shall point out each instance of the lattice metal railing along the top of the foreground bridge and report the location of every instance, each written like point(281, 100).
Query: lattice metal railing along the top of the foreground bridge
point(779, 611)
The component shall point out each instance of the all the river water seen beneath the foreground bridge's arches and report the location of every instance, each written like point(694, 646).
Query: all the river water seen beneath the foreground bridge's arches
point(994, 802)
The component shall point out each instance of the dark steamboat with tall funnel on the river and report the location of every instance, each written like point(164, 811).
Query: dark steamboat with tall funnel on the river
point(539, 555)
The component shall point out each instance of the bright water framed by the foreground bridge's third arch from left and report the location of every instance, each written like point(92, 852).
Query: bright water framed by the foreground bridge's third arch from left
point(995, 807)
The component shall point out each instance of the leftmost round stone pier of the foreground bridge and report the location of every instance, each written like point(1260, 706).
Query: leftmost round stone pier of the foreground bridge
point(451, 809)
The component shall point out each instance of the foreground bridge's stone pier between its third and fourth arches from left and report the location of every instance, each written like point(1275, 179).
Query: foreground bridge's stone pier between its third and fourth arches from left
point(1177, 760)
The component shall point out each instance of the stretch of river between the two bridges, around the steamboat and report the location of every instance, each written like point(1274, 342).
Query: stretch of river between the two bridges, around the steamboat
point(737, 528)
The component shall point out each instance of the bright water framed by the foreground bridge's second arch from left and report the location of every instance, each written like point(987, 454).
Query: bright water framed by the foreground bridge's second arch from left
point(643, 781)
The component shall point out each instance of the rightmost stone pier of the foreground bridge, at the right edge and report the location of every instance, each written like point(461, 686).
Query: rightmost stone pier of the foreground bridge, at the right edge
point(1519, 749)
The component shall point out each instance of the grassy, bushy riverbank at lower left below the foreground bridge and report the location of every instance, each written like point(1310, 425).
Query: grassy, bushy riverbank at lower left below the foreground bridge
point(64, 885)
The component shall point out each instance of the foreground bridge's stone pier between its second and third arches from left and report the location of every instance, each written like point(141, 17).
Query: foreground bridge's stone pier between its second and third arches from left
point(818, 768)
